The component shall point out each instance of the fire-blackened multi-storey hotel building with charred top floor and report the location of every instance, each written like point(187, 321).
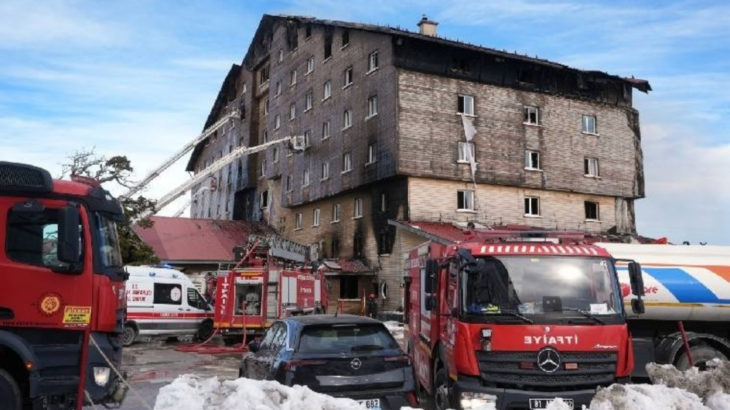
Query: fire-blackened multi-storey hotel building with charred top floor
point(403, 126)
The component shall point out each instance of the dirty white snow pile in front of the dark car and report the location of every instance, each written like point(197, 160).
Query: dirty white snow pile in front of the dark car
point(189, 392)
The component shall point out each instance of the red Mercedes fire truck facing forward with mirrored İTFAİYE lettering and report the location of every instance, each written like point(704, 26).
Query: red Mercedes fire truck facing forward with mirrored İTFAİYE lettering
point(515, 322)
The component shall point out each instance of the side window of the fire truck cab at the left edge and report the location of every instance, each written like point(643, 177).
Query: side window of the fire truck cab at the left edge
point(32, 238)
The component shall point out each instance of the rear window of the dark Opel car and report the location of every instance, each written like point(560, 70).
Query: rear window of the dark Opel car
point(345, 338)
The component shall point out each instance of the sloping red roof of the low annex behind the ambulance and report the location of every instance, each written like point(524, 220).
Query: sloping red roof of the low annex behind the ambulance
point(185, 239)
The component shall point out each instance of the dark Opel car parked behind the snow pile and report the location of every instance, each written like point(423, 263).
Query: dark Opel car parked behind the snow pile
point(342, 356)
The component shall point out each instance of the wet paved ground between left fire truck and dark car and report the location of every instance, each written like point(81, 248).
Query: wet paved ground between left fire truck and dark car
point(152, 365)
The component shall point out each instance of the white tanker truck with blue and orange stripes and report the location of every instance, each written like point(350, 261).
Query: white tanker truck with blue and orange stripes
point(682, 283)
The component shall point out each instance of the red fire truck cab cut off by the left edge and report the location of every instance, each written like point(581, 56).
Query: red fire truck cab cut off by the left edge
point(63, 291)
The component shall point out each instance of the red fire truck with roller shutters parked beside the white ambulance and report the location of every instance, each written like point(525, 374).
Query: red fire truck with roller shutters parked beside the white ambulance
point(269, 283)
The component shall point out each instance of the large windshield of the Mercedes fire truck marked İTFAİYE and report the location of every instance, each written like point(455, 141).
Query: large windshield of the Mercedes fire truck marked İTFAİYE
point(528, 286)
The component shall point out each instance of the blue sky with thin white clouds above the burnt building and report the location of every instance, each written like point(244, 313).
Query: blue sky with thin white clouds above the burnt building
point(139, 77)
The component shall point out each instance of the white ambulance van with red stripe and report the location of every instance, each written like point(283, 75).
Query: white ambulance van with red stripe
point(164, 302)
